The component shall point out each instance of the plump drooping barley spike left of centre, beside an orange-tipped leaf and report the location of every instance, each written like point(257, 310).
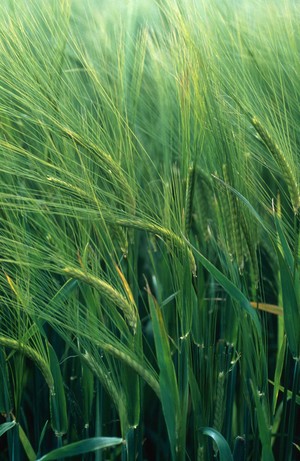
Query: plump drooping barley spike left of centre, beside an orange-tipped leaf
point(111, 294)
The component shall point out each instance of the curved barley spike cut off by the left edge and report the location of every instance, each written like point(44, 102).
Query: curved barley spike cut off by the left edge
point(33, 355)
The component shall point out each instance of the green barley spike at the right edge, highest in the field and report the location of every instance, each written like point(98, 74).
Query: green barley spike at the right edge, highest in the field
point(282, 162)
